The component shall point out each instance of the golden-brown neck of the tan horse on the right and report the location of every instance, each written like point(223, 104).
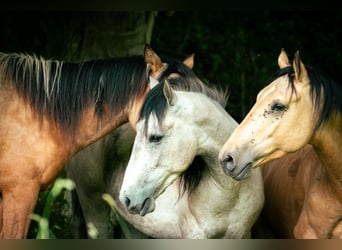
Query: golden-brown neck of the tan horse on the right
point(327, 142)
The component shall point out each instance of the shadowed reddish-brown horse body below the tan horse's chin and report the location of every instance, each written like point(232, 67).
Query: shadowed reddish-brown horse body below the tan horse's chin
point(289, 182)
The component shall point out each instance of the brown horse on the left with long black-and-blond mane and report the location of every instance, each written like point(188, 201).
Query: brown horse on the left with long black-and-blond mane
point(50, 110)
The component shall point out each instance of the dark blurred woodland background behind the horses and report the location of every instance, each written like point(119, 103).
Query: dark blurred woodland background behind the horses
point(237, 50)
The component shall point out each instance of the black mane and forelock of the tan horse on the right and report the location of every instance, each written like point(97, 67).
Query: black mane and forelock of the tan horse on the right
point(319, 83)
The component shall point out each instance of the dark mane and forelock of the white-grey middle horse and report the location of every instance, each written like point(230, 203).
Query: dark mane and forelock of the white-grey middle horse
point(155, 102)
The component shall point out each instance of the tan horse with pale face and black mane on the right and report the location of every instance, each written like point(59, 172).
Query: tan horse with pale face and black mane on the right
point(298, 107)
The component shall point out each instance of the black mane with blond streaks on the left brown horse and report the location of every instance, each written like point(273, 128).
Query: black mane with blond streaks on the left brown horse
point(60, 90)
